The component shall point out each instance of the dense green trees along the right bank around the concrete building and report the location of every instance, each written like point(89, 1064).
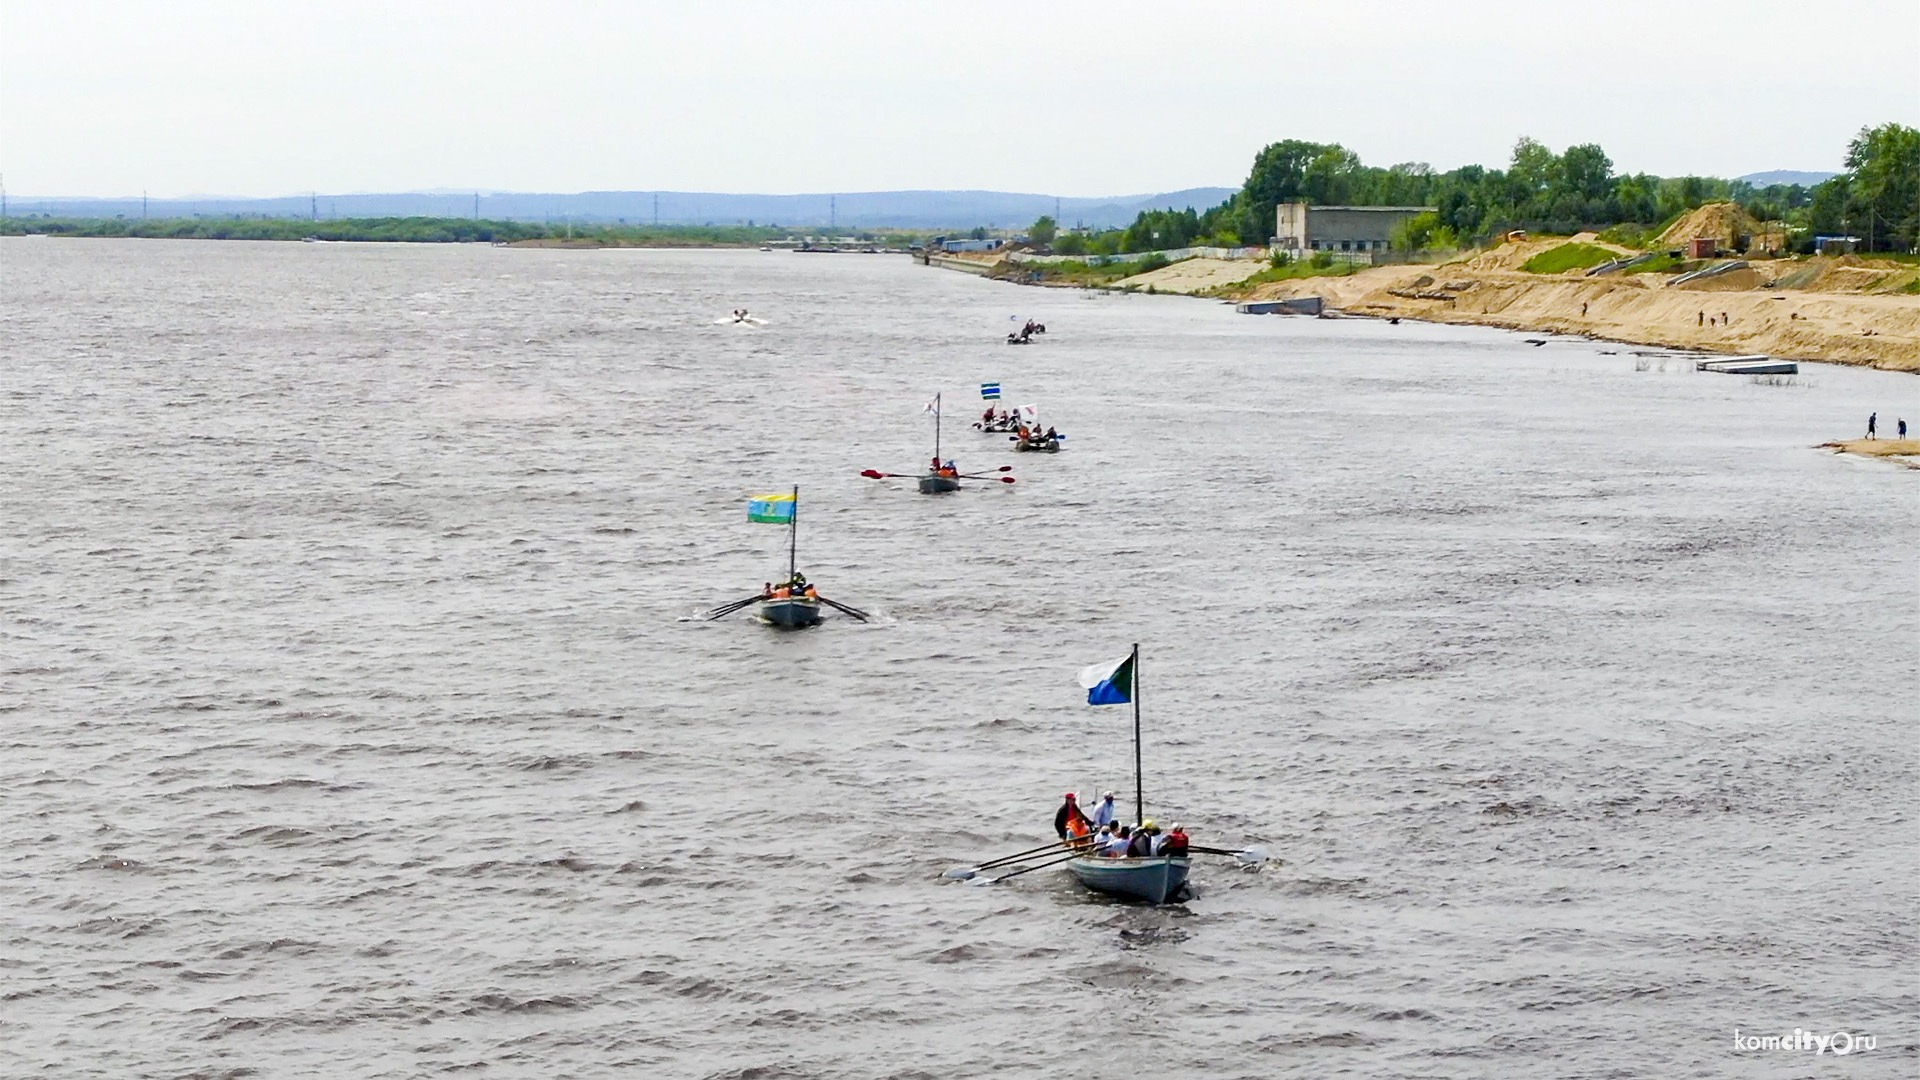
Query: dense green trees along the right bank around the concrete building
point(1877, 199)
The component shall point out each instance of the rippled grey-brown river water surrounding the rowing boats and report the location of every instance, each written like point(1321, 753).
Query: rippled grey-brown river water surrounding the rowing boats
point(356, 718)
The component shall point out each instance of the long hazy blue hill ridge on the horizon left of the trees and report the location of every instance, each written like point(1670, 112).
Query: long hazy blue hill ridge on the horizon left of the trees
point(852, 210)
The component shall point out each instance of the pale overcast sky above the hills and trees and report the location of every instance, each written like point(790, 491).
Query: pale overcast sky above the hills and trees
point(1076, 99)
